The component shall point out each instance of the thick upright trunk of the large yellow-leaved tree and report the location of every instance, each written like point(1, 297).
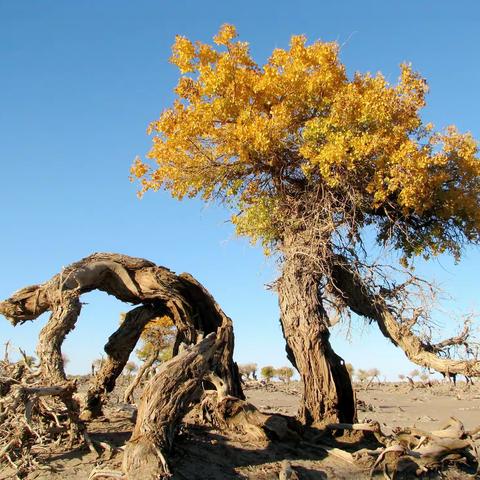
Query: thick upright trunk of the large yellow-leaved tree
point(328, 394)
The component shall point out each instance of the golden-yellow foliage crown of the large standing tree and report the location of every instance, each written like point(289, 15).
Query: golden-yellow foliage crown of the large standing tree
point(256, 136)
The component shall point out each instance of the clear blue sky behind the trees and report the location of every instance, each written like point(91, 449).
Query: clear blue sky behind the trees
point(81, 80)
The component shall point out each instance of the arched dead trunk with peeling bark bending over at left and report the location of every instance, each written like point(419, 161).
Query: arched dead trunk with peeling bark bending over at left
point(132, 280)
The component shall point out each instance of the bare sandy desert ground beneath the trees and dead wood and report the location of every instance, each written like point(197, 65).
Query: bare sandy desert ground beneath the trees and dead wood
point(206, 453)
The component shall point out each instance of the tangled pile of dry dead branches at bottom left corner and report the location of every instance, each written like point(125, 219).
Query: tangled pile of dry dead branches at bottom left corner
point(34, 417)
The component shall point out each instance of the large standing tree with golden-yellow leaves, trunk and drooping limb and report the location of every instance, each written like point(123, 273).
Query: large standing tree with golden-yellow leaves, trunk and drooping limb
point(314, 164)
